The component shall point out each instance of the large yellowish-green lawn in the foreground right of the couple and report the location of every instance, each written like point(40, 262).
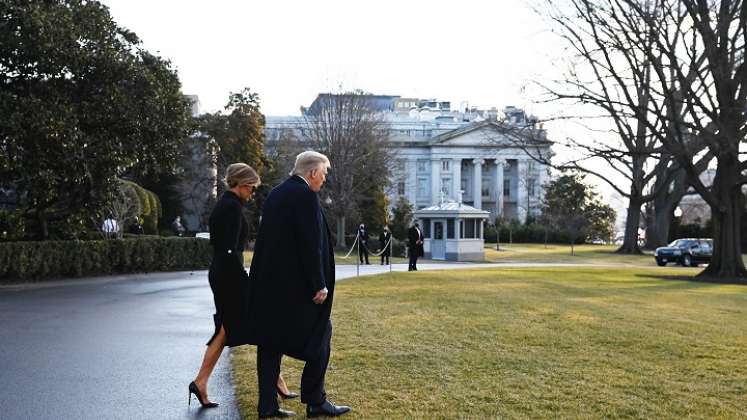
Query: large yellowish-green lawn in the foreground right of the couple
point(531, 343)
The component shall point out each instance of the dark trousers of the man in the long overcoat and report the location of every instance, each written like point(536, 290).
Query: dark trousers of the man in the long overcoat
point(312, 378)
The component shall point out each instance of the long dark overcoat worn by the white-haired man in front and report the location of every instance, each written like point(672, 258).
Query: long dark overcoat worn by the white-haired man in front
point(293, 259)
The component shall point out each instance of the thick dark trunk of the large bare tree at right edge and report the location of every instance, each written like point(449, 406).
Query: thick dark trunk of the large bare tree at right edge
point(727, 263)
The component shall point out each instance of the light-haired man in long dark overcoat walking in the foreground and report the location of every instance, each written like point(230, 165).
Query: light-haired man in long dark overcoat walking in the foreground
point(292, 283)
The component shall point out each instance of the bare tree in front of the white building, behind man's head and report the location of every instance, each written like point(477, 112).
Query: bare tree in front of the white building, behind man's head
point(348, 129)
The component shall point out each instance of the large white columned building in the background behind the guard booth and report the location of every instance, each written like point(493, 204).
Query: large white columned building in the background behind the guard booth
point(441, 151)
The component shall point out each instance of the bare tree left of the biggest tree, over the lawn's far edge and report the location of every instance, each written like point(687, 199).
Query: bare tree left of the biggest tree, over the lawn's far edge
point(610, 78)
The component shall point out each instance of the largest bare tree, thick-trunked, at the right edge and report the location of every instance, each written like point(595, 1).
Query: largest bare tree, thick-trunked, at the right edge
point(707, 39)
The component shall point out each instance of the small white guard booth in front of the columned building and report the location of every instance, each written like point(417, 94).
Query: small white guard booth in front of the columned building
point(452, 231)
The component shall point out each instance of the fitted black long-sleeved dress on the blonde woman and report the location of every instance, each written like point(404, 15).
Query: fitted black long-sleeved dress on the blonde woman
point(228, 279)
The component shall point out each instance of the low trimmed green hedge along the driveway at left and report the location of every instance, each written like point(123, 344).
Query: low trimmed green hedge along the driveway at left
point(23, 261)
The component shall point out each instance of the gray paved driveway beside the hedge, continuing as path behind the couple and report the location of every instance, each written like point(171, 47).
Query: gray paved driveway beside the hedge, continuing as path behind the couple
point(122, 347)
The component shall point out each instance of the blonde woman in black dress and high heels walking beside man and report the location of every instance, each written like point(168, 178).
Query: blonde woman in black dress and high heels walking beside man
point(228, 279)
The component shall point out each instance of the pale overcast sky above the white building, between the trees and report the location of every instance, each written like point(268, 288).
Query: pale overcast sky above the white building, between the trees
point(482, 52)
